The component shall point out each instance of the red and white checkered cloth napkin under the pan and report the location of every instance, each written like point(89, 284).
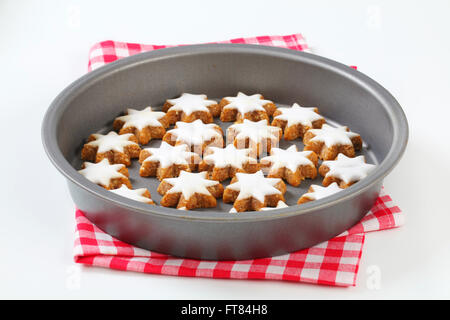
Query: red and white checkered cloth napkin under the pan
point(334, 262)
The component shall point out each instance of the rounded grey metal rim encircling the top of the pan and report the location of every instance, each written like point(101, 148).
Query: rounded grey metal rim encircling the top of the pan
point(391, 106)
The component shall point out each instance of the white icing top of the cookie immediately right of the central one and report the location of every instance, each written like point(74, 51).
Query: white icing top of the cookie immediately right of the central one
point(290, 158)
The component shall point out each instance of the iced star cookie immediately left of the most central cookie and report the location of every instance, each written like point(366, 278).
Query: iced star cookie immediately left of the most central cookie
point(167, 161)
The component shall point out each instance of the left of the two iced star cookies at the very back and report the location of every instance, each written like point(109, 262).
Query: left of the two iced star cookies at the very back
point(189, 107)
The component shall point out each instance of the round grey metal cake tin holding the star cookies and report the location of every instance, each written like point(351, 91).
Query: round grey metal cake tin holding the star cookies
point(342, 94)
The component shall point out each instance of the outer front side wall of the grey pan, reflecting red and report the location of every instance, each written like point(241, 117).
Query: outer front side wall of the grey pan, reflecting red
point(223, 240)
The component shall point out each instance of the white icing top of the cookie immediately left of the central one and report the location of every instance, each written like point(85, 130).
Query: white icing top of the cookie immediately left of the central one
point(168, 155)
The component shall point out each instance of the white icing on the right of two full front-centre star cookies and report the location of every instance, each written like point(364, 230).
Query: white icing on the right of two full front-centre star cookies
point(254, 185)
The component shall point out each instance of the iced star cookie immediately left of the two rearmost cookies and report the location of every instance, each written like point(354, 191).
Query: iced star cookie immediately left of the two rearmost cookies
point(145, 124)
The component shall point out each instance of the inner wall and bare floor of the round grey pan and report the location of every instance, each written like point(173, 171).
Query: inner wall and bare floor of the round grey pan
point(151, 78)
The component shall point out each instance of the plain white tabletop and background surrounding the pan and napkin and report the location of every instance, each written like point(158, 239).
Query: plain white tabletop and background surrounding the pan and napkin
point(44, 47)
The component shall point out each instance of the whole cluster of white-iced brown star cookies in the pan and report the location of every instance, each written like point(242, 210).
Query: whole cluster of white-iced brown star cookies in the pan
point(194, 158)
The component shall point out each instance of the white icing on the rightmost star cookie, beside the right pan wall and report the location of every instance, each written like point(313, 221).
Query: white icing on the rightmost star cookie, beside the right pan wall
point(348, 169)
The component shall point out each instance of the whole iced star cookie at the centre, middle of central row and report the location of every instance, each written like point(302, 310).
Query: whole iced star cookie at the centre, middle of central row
point(223, 163)
